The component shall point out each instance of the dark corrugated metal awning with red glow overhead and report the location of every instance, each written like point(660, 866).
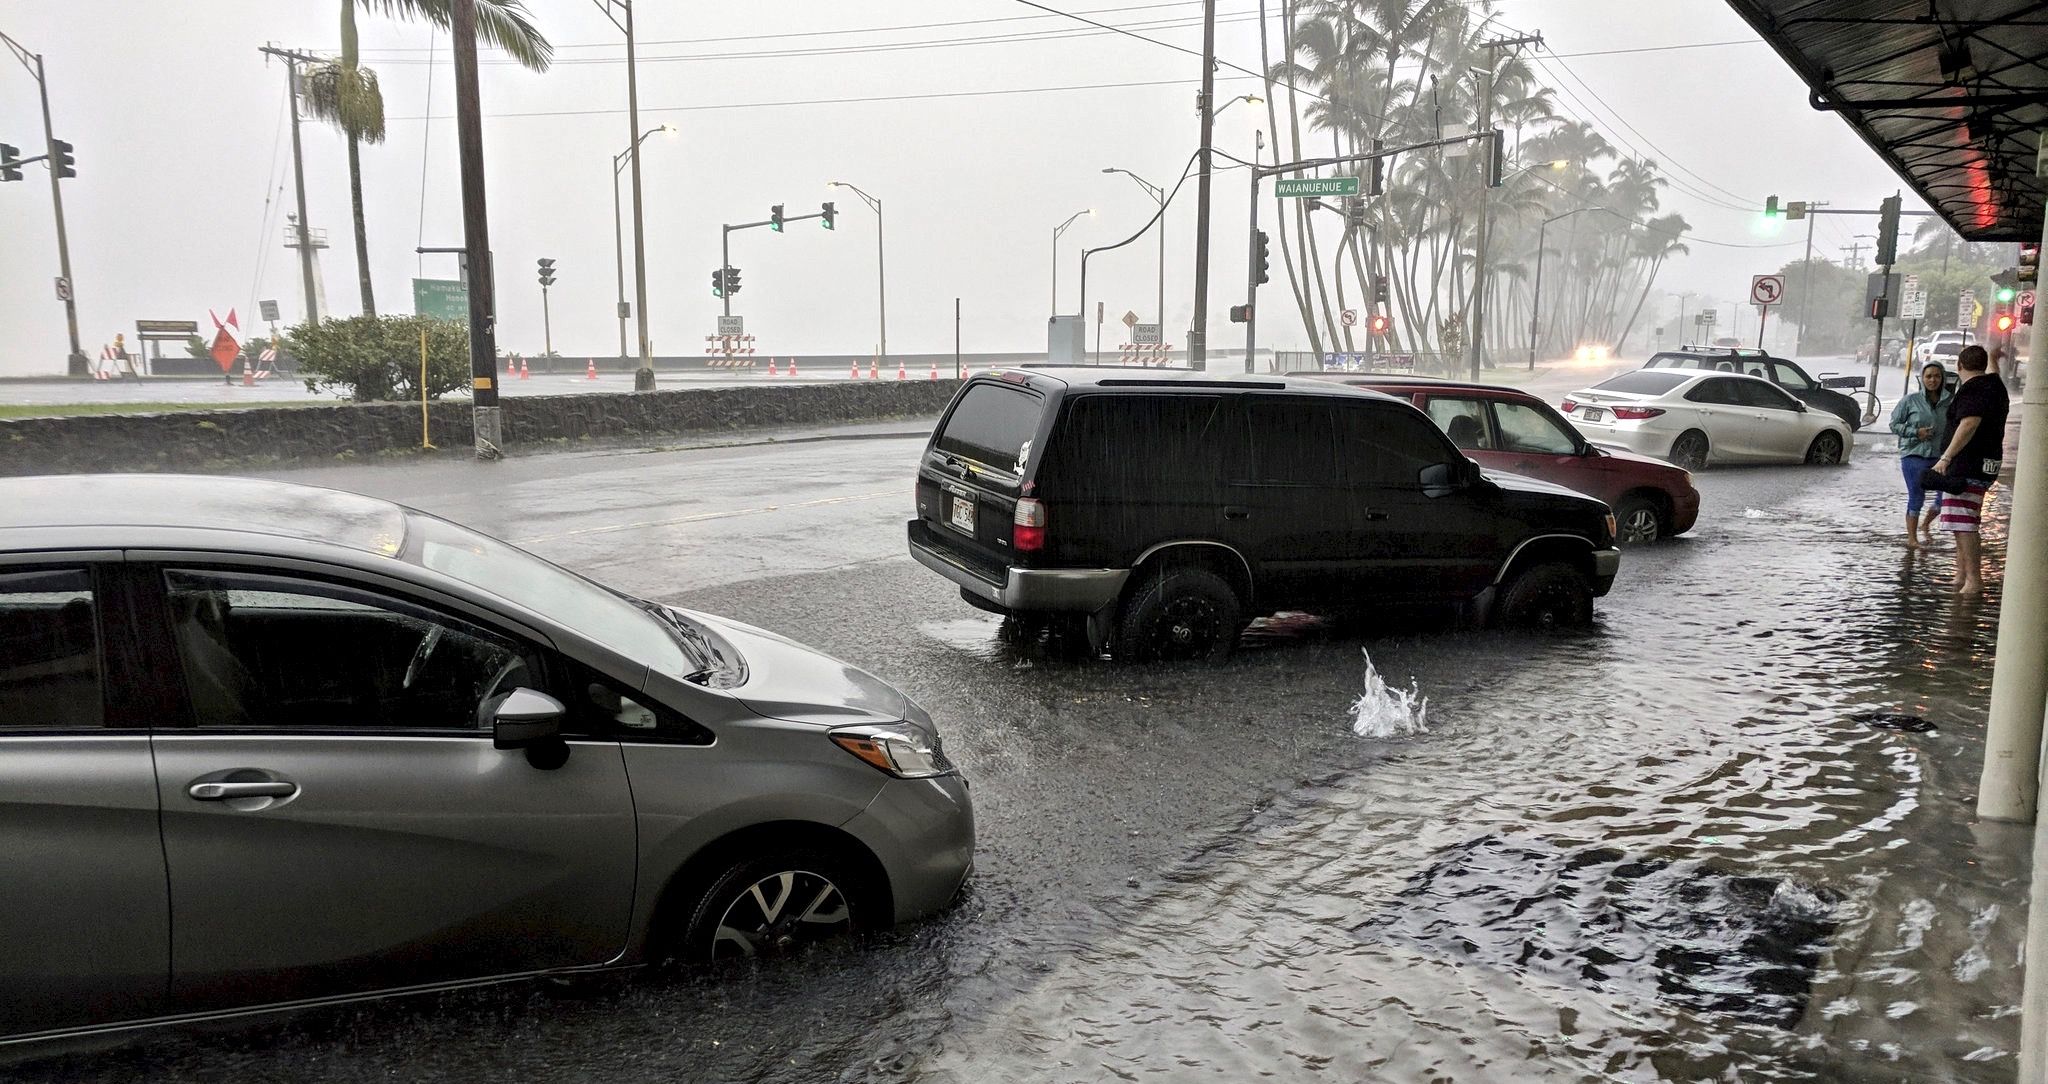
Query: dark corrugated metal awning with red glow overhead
point(1951, 93)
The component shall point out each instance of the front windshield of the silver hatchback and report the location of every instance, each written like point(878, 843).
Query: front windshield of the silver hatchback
point(525, 581)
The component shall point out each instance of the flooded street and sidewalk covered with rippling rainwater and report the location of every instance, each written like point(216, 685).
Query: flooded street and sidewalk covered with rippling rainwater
point(1695, 843)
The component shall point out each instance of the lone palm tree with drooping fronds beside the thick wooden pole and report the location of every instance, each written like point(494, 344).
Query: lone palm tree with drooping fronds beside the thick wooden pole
point(345, 93)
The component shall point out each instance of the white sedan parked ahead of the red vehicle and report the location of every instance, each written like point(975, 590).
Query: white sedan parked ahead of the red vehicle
point(1699, 419)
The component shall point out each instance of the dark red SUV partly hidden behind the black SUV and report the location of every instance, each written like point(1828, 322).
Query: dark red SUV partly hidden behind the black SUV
point(1512, 431)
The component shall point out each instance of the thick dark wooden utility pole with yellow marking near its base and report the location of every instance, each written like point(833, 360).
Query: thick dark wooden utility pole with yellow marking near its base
point(476, 235)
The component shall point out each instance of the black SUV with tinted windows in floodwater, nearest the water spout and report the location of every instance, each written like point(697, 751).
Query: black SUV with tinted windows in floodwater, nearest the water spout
point(1160, 513)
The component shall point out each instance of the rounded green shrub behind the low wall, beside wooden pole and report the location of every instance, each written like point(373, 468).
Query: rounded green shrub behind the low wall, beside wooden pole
point(378, 358)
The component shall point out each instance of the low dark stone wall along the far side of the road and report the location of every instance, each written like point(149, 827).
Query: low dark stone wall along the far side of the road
point(228, 440)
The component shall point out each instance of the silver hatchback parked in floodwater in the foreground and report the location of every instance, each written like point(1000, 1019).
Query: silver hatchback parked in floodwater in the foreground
point(267, 745)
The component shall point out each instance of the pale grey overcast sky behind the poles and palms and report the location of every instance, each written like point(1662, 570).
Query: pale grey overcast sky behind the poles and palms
point(978, 153)
